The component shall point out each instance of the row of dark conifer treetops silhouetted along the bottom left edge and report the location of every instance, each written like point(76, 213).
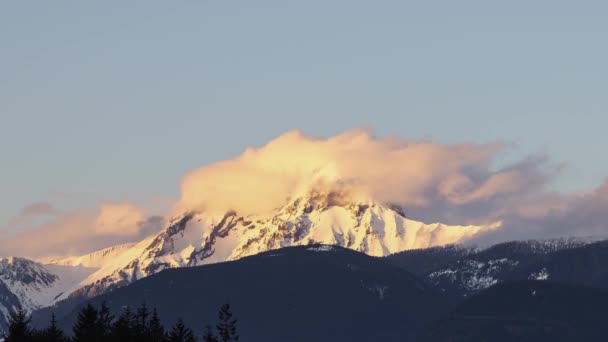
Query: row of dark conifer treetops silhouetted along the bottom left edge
point(99, 325)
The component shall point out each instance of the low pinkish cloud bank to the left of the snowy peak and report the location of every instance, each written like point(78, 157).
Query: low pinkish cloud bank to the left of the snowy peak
point(78, 232)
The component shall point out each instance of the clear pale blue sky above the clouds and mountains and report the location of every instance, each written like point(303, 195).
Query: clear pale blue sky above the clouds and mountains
point(117, 100)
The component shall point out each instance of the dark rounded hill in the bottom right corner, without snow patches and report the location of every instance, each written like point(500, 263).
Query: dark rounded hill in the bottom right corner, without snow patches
point(528, 310)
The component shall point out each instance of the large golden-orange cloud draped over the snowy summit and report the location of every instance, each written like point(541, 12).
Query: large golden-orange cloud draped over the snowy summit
point(415, 174)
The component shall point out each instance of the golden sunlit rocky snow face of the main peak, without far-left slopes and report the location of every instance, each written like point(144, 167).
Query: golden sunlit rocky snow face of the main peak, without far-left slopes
point(319, 217)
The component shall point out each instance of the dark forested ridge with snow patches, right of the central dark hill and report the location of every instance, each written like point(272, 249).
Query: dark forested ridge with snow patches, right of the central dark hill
point(460, 272)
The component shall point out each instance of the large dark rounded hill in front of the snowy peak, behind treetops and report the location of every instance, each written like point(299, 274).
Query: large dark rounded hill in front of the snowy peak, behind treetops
point(306, 293)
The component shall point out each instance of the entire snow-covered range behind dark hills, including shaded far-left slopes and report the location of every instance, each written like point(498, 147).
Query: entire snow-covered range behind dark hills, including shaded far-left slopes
point(193, 239)
